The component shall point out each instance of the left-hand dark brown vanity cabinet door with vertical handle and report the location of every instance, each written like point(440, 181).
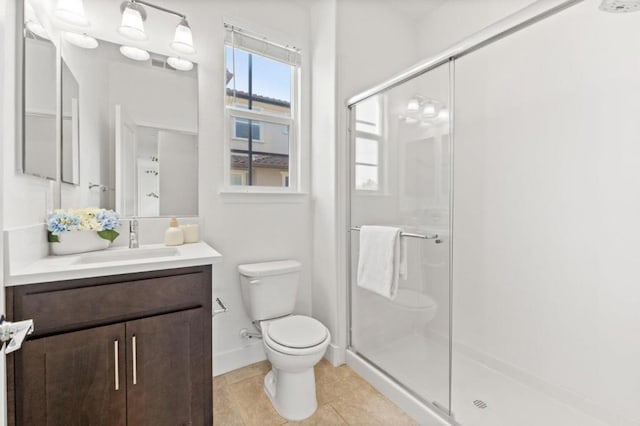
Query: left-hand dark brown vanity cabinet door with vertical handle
point(73, 379)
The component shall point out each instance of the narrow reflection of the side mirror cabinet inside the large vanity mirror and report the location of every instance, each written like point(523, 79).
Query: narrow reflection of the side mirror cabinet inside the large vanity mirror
point(70, 127)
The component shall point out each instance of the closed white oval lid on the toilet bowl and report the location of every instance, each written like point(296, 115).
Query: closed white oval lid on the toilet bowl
point(297, 331)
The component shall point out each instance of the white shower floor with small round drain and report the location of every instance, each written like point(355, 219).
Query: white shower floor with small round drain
point(422, 365)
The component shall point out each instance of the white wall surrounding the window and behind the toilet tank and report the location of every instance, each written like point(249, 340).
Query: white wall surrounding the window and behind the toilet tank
point(247, 228)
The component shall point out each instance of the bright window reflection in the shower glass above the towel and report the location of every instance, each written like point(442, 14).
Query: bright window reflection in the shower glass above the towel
point(368, 145)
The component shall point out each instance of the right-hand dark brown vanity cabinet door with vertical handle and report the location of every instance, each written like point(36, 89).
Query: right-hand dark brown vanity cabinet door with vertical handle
point(165, 370)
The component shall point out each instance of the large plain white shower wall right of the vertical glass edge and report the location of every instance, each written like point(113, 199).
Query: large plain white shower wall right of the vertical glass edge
point(547, 207)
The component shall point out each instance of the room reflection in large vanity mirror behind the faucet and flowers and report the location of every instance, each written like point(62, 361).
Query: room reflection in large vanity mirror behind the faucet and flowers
point(137, 127)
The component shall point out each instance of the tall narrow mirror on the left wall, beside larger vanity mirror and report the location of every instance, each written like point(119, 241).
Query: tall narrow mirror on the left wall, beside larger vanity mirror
point(39, 144)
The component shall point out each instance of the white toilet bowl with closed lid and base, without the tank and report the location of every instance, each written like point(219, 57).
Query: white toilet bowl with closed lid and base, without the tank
point(294, 345)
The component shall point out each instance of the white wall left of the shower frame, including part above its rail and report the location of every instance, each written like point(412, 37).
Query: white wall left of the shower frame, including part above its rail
point(360, 55)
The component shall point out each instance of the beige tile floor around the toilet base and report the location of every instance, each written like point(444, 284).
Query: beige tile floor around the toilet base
point(344, 398)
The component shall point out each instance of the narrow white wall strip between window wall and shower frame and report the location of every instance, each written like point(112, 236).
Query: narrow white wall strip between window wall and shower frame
point(326, 293)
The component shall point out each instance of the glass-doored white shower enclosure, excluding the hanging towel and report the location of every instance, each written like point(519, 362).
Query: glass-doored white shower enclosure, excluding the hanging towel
point(513, 312)
